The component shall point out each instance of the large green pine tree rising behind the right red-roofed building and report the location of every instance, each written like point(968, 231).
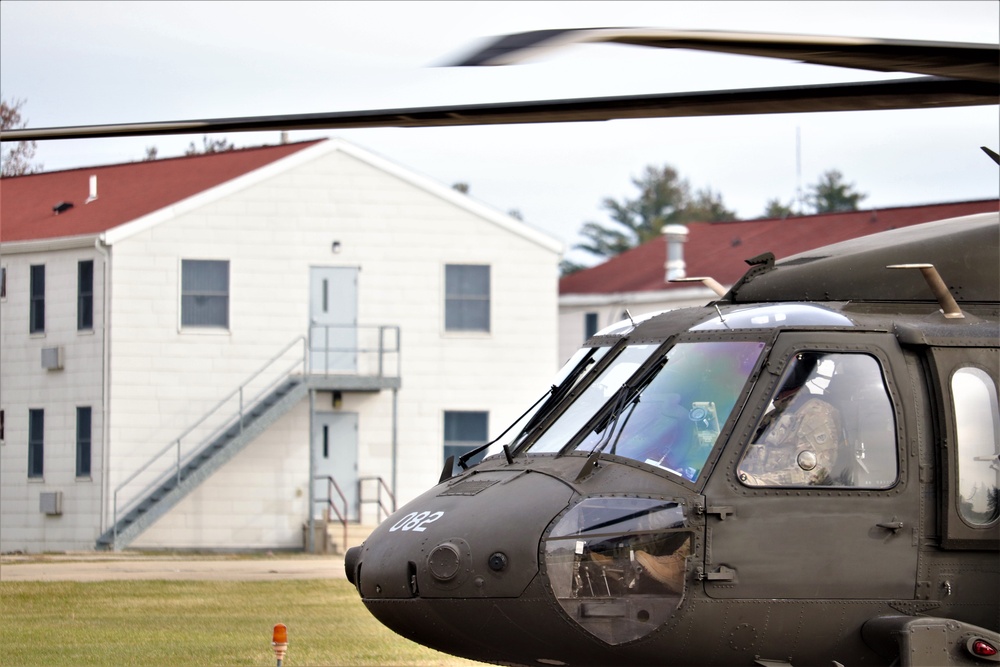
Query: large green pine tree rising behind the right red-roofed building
point(664, 198)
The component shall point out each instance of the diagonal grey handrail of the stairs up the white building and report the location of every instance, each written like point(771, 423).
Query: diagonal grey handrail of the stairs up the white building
point(227, 424)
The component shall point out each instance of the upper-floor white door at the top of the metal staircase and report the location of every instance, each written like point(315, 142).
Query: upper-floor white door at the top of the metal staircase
point(333, 319)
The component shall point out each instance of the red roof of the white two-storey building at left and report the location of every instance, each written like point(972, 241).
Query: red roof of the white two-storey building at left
point(125, 192)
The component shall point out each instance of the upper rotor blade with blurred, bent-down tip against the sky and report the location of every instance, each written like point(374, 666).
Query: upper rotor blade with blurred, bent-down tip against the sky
point(974, 62)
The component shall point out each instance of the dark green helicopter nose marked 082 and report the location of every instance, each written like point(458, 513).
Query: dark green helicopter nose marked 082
point(476, 536)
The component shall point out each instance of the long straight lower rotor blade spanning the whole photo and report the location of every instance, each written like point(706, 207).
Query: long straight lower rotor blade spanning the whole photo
point(921, 92)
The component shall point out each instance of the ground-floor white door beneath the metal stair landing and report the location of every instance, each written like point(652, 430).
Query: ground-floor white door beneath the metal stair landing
point(335, 453)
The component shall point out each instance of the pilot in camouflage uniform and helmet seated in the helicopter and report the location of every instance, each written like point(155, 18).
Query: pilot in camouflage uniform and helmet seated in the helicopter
point(797, 443)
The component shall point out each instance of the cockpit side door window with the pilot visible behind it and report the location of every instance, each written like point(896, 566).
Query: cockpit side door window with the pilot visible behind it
point(830, 423)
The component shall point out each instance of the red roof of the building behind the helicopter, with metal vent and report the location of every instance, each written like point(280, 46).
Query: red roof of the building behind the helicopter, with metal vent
point(719, 249)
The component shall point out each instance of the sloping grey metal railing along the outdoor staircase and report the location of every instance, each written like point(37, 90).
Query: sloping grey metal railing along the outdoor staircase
point(175, 464)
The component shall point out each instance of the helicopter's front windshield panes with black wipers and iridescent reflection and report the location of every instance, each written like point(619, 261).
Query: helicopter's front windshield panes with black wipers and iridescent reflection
point(667, 415)
